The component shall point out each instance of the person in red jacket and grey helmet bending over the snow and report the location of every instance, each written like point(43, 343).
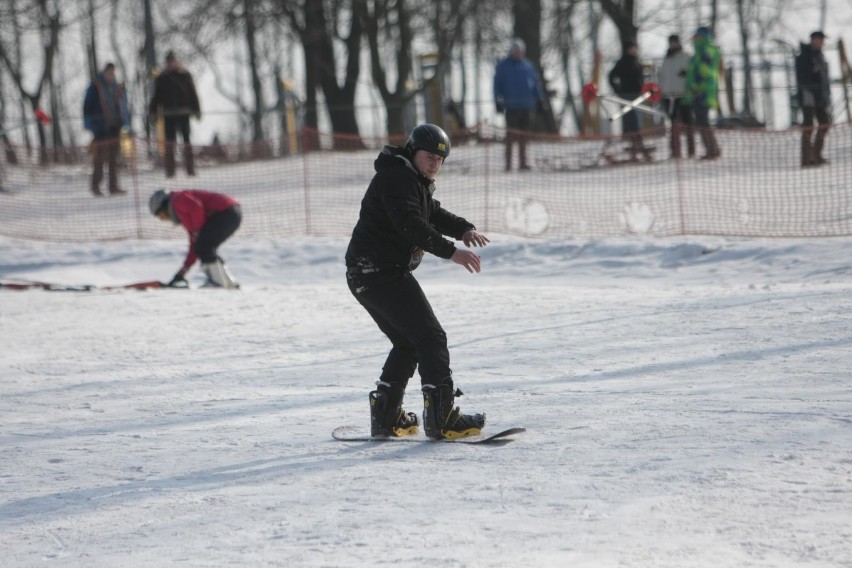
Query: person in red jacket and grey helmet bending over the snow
point(209, 218)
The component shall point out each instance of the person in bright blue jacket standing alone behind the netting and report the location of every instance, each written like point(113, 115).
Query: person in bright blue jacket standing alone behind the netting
point(518, 93)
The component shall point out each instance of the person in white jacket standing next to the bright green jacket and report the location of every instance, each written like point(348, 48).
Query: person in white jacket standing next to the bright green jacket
point(673, 86)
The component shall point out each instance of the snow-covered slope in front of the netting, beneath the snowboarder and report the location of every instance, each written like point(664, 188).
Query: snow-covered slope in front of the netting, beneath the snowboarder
point(687, 404)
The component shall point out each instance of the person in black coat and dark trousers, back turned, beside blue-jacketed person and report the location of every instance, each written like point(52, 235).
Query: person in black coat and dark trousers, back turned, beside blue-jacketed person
point(175, 95)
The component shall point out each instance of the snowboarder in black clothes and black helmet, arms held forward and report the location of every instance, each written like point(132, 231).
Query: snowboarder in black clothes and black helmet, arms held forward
point(399, 222)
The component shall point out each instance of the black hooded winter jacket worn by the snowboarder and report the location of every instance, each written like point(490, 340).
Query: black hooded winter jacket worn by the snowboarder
point(400, 220)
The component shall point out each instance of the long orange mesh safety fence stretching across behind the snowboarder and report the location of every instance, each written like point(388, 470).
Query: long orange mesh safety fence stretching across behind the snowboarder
point(575, 188)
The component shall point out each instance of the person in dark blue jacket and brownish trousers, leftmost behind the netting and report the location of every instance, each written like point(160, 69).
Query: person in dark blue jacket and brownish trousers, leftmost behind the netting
point(105, 113)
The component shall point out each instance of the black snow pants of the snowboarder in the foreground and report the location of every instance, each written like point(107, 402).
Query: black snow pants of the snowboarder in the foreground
point(397, 304)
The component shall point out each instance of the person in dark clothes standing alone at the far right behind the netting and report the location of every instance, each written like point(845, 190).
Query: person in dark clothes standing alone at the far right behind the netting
point(814, 96)
